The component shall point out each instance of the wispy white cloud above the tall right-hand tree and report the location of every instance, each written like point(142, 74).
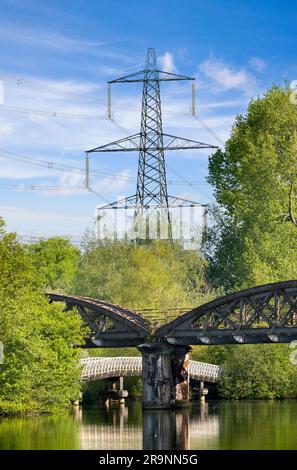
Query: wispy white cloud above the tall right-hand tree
point(226, 77)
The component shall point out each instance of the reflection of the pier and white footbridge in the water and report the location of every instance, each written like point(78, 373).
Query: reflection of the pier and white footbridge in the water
point(153, 430)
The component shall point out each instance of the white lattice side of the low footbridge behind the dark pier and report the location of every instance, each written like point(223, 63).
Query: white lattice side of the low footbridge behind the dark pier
point(94, 368)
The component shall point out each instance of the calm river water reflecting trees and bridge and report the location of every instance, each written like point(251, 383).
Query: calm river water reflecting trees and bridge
point(215, 425)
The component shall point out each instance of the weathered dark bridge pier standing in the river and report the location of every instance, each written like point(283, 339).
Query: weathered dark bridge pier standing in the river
point(165, 375)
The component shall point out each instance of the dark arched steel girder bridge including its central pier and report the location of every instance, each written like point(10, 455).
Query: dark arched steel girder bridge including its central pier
point(263, 314)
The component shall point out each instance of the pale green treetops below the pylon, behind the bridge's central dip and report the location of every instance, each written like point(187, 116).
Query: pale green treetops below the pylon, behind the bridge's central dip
point(158, 275)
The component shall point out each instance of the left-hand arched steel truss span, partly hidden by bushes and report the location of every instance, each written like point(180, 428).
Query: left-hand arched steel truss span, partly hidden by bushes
point(111, 325)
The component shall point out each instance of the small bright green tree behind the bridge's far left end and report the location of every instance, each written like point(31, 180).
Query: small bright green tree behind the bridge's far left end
point(56, 262)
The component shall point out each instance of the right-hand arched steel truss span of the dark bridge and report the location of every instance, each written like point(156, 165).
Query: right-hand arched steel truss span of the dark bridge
point(263, 314)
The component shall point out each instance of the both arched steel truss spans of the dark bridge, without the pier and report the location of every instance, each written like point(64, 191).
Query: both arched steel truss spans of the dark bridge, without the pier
point(263, 314)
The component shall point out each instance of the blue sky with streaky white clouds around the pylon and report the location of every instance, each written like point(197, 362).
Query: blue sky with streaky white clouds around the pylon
point(57, 56)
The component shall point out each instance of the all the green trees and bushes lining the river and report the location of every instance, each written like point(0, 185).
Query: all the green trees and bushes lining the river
point(252, 241)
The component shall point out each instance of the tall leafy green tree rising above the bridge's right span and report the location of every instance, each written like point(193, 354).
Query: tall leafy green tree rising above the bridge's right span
point(254, 240)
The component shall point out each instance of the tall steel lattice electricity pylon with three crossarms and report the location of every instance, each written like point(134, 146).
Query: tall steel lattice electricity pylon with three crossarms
point(151, 143)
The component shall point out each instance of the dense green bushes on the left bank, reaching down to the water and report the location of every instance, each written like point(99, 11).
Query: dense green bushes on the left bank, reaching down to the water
point(40, 371)
